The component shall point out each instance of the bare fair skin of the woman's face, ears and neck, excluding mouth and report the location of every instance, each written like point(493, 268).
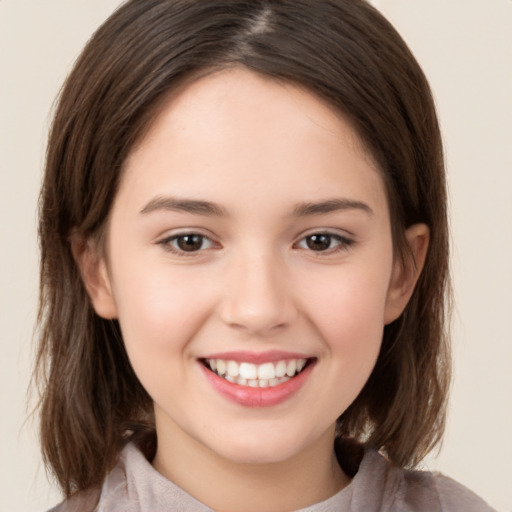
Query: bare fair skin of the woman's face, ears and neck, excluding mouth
point(257, 149)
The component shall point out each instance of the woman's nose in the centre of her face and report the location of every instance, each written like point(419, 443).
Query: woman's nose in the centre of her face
point(258, 297)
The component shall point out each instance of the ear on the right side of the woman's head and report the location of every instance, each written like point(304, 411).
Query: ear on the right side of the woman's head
point(406, 273)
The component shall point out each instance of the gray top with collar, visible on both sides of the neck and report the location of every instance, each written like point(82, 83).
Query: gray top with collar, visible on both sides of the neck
point(135, 486)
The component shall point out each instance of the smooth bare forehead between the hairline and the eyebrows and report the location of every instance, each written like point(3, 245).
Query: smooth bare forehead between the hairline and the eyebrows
point(238, 131)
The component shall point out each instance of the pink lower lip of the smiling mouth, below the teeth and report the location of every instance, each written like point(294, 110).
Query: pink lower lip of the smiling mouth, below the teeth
point(257, 397)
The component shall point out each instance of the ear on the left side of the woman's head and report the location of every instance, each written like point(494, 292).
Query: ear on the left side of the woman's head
point(94, 272)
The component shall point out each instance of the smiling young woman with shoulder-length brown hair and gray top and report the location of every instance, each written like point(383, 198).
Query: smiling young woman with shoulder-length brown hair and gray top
point(245, 264)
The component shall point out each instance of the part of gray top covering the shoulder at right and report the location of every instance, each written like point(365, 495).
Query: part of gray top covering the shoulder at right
point(408, 490)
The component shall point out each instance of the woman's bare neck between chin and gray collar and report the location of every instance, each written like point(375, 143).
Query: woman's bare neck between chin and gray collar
point(308, 477)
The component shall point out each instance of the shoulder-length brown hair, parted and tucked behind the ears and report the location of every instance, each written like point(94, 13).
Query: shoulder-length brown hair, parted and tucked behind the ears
point(344, 52)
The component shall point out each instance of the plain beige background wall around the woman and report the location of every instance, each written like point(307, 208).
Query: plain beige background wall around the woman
point(465, 47)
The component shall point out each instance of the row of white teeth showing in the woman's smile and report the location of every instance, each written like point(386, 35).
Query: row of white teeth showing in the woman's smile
point(252, 375)
